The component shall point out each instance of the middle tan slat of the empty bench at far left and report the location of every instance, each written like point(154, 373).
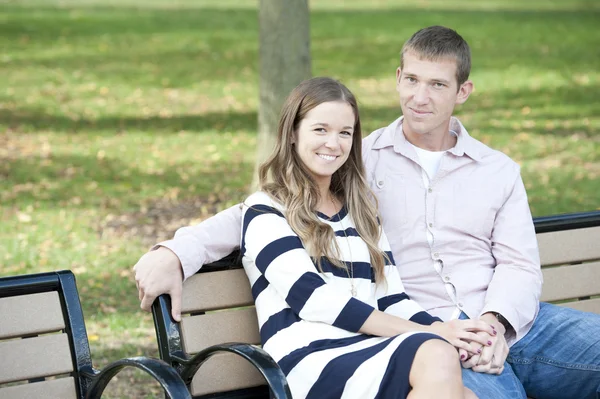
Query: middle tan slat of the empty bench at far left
point(28, 358)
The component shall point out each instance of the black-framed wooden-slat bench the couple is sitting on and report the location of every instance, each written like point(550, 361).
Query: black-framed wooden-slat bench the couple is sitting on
point(218, 309)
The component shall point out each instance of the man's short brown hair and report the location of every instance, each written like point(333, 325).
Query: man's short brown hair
point(438, 42)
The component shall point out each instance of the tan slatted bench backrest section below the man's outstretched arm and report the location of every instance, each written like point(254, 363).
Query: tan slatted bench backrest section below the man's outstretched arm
point(217, 307)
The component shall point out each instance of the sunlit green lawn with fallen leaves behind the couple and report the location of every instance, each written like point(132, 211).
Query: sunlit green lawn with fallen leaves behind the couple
point(123, 120)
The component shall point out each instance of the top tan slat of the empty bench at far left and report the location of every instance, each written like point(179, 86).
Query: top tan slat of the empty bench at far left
point(33, 314)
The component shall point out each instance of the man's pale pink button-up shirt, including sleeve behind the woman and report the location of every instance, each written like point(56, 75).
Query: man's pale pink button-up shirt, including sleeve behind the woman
point(475, 207)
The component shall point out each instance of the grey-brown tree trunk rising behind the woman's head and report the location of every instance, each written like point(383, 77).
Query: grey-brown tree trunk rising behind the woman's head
point(284, 62)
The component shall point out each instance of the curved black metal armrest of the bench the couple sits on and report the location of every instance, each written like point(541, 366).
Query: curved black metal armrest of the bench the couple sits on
point(258, 357)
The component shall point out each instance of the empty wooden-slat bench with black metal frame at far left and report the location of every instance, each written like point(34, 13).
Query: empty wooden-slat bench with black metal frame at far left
point(44, 350)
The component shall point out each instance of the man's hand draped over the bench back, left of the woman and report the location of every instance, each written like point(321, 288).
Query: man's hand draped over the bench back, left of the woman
point(159, 272)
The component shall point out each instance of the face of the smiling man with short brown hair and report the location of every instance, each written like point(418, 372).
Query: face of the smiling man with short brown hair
point(428, 94)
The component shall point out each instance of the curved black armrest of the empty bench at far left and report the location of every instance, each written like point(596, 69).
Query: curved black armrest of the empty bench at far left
point(166, 376)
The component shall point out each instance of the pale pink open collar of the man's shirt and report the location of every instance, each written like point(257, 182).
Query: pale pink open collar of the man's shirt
point(393, 136)
